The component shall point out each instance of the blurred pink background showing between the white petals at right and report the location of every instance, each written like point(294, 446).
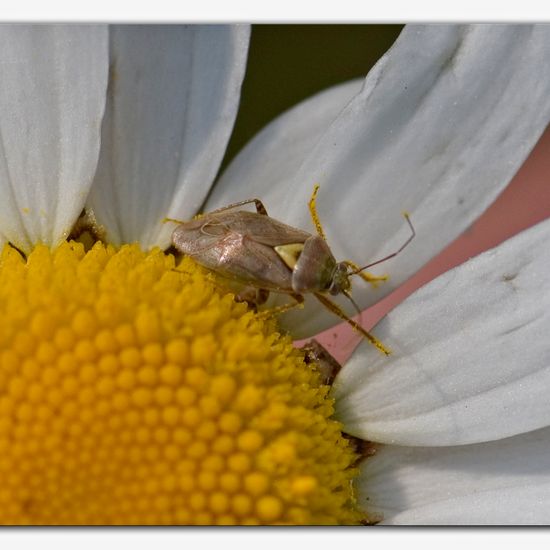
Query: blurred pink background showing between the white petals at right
point(525, 202)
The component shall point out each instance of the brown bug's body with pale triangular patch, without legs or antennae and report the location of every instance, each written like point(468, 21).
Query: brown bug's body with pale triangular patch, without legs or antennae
point(257, 250)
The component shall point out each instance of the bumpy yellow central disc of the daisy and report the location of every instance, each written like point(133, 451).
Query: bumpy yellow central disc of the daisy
point(134, 392)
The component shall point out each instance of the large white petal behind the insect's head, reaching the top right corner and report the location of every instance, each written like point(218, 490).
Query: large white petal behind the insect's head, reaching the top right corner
point(441, 125)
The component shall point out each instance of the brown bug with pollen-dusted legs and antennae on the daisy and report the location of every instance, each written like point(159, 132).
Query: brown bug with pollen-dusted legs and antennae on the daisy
point(263, 253)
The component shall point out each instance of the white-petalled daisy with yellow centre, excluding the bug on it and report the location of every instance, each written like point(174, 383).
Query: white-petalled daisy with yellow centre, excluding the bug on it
point(134, 392)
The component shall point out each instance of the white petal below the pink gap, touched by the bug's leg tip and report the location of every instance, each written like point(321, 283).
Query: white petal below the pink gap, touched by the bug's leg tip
point(470, 361)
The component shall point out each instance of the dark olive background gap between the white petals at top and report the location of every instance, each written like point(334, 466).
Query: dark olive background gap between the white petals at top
point(288, 63)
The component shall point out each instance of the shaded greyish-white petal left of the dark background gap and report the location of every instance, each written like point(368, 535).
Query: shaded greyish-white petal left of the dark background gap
point(173, 99)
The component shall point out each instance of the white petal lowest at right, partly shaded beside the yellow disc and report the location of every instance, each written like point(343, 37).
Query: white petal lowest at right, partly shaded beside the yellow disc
point(504, 482)
